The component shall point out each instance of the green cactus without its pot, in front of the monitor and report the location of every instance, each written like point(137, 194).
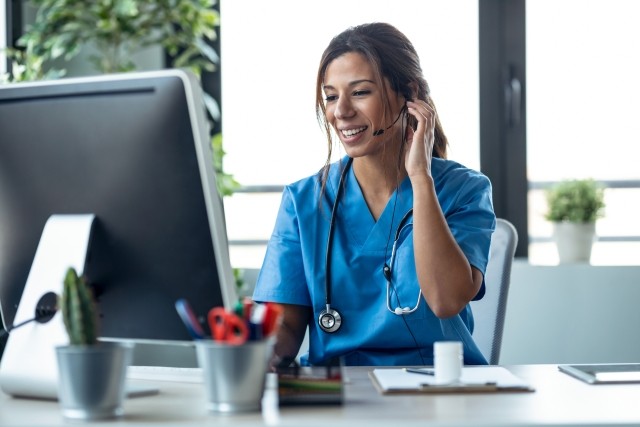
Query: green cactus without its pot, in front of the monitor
point(78, 310)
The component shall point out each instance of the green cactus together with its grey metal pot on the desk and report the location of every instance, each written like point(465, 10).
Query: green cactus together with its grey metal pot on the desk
point(92, 373)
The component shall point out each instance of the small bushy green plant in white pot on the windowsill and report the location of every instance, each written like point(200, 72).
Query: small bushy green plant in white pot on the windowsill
point(574, 206)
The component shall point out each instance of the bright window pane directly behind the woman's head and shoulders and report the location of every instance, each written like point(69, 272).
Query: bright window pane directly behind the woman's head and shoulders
point(270, 52)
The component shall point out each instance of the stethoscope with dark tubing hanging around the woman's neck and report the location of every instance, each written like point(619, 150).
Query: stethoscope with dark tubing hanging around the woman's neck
point(330, 319)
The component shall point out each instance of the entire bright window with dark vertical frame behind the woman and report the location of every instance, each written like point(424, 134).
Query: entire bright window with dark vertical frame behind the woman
point(580, 109)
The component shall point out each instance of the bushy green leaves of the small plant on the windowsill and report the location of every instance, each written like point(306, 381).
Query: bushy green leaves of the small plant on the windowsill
point(575, 201)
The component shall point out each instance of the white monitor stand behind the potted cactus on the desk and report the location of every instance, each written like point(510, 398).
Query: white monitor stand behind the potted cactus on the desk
point(28, 367)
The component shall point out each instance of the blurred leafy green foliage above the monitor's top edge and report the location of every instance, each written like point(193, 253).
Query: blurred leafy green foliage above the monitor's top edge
point(119, 28)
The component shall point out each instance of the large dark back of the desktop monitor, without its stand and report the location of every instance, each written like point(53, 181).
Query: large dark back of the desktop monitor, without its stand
point(134, 150)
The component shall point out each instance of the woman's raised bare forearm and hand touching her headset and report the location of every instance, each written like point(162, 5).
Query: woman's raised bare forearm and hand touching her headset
point(447, 280)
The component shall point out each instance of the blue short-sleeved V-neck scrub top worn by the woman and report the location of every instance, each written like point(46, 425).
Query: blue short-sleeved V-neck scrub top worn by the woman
point(294, 267)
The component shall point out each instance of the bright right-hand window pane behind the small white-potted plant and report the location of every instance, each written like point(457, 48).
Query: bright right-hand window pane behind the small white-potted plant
point(582, 116)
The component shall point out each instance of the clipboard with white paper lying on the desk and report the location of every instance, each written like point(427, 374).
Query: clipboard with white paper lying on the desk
point(476, 379)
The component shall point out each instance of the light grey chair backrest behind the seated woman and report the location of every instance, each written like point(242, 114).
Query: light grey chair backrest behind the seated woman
point(489, 312)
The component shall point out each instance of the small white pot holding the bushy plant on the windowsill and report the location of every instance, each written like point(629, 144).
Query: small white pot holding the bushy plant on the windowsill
point(574, 241)
